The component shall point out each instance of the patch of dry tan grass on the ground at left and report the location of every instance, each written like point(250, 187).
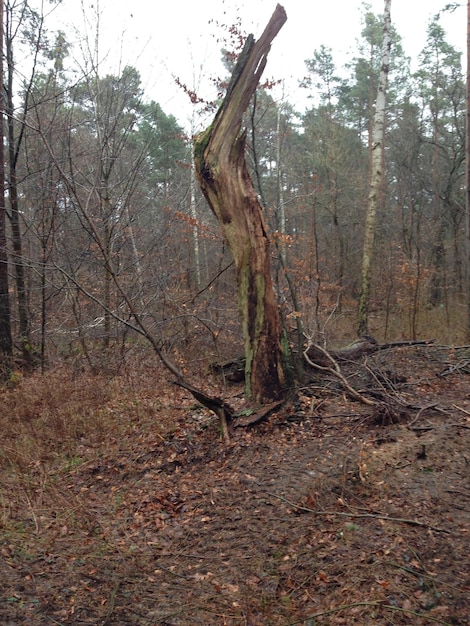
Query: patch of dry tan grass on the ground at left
point(59, 421)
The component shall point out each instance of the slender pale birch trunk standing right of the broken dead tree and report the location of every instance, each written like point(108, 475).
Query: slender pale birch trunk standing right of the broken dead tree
point(376, 175)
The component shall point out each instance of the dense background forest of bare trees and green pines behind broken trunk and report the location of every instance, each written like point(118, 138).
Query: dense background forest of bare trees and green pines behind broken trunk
point(105, 223)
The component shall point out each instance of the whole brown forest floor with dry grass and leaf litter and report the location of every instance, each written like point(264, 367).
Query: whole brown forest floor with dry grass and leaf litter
point(120, 504)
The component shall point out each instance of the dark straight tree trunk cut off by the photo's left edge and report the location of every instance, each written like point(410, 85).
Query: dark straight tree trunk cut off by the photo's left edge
point(6, 342)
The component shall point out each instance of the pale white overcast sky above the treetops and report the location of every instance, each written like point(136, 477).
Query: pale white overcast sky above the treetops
point(180, 37)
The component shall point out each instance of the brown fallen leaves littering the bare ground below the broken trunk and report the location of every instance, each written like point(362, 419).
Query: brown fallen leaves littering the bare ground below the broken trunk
point(178, 527)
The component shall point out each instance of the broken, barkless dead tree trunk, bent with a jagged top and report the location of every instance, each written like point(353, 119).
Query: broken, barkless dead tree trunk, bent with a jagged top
point(225, 181)
